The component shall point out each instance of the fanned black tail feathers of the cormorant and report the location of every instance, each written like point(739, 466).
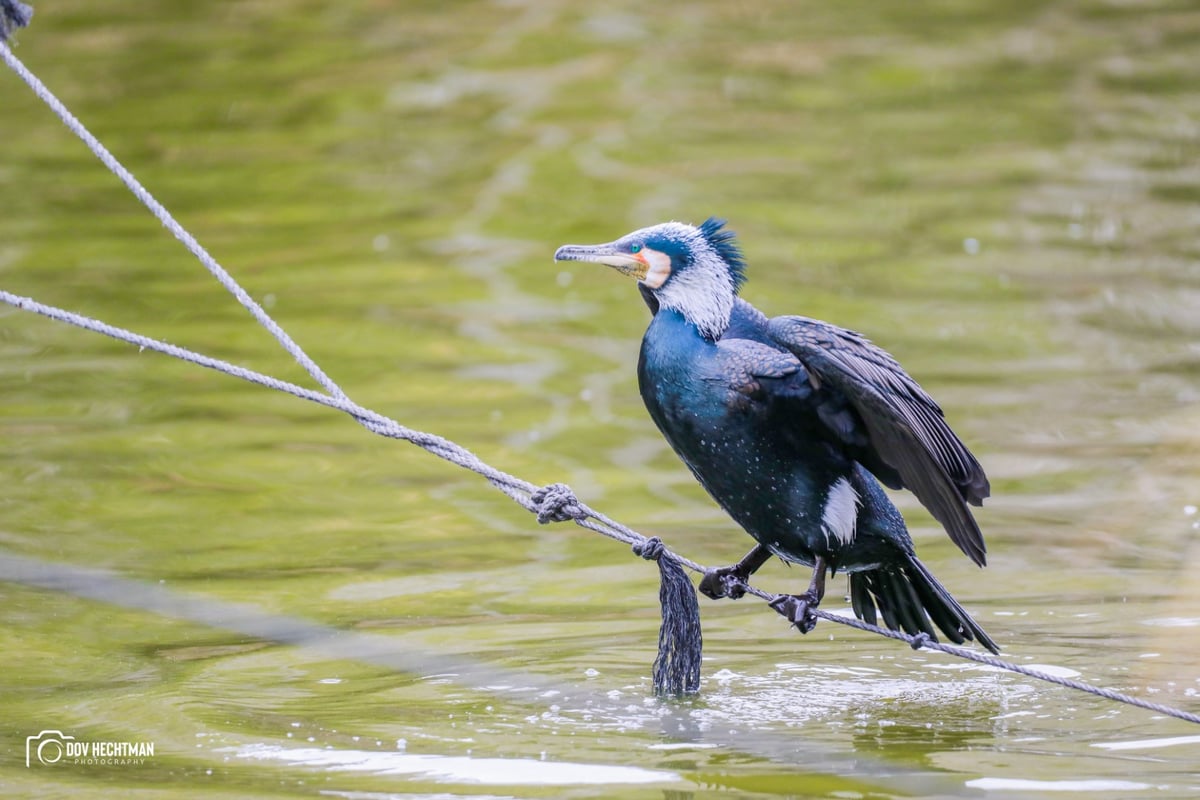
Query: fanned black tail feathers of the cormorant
point(910, 598)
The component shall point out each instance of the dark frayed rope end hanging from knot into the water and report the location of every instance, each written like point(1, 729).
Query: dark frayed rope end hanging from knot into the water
point(681, 645)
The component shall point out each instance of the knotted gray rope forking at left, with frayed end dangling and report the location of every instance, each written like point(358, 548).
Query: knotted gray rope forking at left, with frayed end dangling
point(554, 503)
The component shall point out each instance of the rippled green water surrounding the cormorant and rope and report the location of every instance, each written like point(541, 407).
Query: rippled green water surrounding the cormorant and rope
point(1004, 195)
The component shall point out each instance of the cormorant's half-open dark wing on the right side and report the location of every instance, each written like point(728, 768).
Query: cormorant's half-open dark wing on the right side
point(905, 428)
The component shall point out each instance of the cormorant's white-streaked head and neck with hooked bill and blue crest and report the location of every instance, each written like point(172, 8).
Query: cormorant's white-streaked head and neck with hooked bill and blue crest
point(695, 270)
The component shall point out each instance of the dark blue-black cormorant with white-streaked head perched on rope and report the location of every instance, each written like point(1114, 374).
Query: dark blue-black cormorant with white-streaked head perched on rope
point(791, 424)
